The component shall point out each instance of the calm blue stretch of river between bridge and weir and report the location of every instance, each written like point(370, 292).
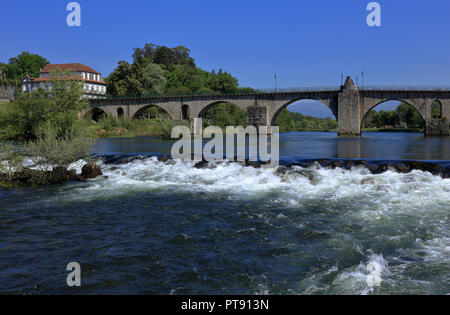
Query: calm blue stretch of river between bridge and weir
point(372, 145)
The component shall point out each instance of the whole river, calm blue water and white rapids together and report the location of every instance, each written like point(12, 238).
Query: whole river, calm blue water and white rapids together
point(159, 228)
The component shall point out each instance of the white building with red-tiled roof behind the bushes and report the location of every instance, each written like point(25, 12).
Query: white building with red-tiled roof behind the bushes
point(94, 85)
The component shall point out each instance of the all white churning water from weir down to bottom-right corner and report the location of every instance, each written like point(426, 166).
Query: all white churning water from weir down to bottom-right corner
point(386, 211)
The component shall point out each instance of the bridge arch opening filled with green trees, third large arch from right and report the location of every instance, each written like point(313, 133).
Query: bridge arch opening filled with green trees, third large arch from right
point(222, 114)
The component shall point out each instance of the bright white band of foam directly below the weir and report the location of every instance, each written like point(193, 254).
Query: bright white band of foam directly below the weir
point(390, 187)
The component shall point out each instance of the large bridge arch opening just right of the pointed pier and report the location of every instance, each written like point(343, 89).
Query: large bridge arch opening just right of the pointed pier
point(392, 115)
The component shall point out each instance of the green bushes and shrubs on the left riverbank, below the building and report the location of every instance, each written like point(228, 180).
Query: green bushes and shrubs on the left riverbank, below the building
point(42, 130)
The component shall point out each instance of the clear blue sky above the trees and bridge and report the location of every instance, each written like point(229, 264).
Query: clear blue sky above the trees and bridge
point(307, 43)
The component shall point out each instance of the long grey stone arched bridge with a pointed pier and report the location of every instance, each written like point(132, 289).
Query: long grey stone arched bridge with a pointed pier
point(349, 105)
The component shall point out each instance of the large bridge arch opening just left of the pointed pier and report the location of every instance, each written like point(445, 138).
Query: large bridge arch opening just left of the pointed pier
point(305, 115)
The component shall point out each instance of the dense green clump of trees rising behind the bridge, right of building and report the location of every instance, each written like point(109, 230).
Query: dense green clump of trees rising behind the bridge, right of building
point(159, 70)
